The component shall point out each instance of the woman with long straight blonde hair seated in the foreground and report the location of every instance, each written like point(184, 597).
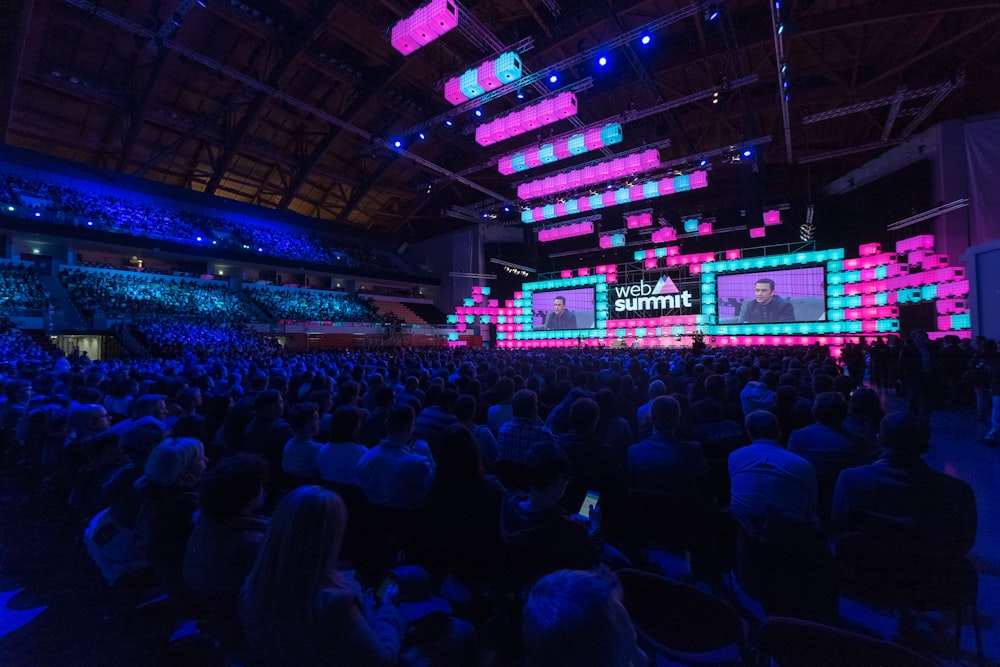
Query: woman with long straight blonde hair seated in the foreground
point(296, 607)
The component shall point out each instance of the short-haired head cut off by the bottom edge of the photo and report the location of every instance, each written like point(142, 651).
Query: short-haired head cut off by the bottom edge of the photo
point(575, 618)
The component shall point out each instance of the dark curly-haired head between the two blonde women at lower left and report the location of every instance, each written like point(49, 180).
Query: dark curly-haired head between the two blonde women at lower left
point(234, 486)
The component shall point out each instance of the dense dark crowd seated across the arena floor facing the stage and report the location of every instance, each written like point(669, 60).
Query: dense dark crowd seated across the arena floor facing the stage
point(375, 469)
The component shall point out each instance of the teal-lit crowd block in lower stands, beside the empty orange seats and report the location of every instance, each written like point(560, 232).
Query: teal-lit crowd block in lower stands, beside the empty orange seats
point(301, 305)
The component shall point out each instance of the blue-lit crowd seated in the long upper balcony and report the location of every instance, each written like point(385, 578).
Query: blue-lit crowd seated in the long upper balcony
point(68, 205)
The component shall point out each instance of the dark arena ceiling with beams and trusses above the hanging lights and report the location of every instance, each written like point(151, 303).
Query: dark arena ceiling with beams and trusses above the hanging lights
point(291, 104)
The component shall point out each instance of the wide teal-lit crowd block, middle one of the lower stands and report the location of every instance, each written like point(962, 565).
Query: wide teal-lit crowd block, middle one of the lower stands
point(122, 295)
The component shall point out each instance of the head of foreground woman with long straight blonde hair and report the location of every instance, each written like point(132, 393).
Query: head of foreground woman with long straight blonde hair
point(299, 554)
